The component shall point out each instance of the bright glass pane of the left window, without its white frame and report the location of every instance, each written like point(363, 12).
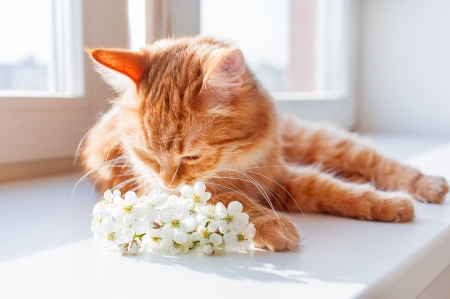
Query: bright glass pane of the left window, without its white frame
point(26, 44)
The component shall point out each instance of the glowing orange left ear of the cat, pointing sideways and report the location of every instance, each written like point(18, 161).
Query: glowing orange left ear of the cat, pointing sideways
point(131, 64)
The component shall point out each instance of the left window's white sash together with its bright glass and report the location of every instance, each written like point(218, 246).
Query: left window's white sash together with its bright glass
point(42, 49)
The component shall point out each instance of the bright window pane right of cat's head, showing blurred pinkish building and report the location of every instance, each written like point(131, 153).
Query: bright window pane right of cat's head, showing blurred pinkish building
point(278, 38)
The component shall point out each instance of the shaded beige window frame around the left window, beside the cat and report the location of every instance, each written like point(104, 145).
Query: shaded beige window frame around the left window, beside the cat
point(40, 127)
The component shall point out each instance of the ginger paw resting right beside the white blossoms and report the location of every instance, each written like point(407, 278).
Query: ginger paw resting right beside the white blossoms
point(275, 233)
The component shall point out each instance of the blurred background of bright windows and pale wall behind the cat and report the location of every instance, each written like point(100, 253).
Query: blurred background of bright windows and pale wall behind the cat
point(371, 66)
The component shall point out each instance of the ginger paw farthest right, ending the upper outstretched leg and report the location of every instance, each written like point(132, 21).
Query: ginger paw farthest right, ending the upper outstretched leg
point(430, 189)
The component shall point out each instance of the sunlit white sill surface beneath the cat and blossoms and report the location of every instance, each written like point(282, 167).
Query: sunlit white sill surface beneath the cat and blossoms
point(47, 251)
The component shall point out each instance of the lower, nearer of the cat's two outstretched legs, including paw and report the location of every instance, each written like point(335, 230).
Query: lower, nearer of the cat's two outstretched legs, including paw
point(315, 191)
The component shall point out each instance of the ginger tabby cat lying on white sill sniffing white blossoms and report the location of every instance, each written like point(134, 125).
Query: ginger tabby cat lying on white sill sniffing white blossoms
point(190, 109)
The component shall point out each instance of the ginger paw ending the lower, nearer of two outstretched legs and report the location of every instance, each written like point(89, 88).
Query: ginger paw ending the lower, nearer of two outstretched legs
point(396, 207)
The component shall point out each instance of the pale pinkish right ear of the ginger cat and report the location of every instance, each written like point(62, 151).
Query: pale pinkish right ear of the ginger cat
point(224, 72)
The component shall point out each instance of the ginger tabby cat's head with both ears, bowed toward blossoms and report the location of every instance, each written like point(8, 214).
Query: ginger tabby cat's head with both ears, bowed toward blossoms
point(189, 109)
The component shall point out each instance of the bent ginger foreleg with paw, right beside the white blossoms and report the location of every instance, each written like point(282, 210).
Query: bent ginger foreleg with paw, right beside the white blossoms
point(274, 231)
